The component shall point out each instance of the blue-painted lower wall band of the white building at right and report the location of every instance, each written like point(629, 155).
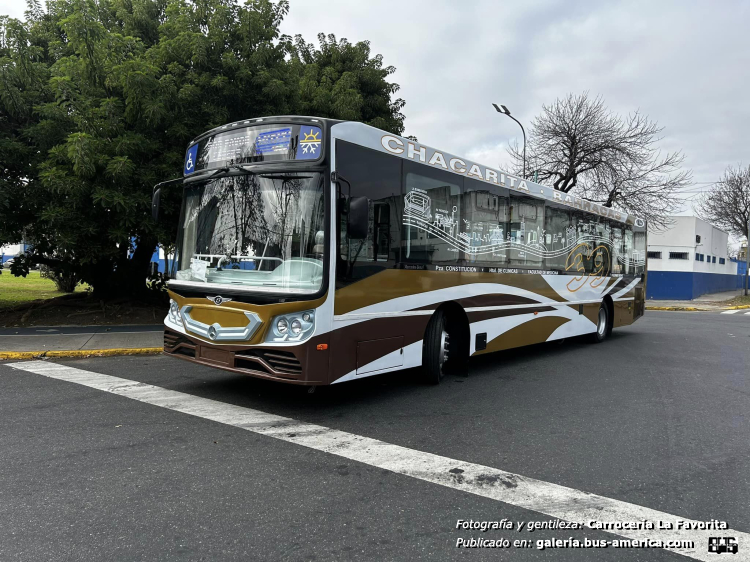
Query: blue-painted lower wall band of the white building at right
point(687, 285)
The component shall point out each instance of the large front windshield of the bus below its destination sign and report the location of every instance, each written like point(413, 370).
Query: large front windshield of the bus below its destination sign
point(263, 232)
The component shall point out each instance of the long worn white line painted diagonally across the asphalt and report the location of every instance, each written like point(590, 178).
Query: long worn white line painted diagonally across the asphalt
point(514, 489)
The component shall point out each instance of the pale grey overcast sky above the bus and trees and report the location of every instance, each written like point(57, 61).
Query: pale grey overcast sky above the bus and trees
point(683, 63)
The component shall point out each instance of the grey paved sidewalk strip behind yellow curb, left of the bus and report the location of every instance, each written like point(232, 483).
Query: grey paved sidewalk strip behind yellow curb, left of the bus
point(81, 339)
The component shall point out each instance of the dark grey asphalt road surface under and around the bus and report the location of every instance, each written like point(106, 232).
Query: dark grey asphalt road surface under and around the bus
point(657, 416)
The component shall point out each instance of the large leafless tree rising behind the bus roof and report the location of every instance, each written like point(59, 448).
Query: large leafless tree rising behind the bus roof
point(577, 143)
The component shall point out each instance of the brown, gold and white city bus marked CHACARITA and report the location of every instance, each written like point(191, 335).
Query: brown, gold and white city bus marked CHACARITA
point(315, 251)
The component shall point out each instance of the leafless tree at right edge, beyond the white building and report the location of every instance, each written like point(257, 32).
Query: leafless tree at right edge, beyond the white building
point(727, 205)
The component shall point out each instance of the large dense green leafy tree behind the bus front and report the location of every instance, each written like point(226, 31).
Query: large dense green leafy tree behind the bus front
point(99, 100)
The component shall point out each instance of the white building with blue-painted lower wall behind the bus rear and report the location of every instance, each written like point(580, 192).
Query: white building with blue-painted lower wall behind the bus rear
point(688, 260)
